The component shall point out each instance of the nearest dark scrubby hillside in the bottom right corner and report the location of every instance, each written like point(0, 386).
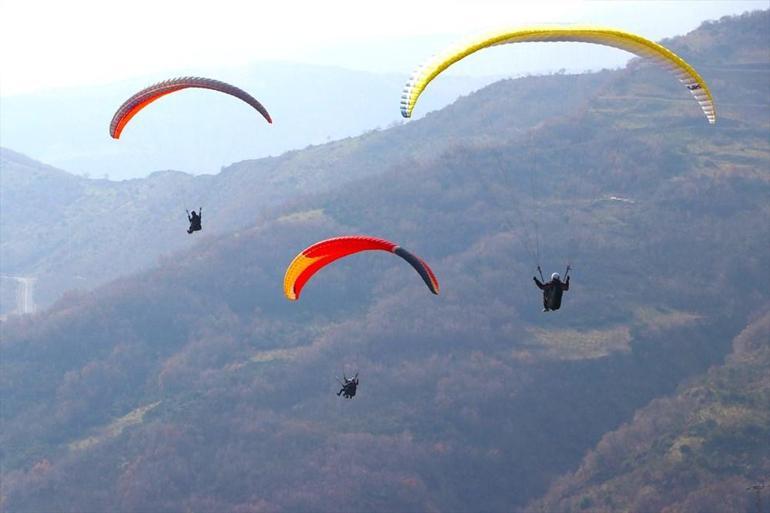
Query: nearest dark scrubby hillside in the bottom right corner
point(699, 450)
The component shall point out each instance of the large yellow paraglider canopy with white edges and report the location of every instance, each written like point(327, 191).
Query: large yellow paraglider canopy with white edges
point(597, 35)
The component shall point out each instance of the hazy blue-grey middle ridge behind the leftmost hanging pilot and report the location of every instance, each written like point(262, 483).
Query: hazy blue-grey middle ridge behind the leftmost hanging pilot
point(70, 232)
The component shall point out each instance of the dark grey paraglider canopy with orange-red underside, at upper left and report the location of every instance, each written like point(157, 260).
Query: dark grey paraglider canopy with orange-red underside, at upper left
point(146, 96)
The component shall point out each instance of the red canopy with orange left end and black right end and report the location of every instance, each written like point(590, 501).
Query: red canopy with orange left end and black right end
point(321, 254)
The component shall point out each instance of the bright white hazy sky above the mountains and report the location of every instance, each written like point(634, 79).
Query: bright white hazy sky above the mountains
point(46, 44)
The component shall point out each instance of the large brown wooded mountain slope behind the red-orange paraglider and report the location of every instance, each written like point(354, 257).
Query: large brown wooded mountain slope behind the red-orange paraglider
point(196, 385)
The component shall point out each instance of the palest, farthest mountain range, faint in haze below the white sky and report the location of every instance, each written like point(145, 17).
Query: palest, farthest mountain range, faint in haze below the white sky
point(198, 131)
